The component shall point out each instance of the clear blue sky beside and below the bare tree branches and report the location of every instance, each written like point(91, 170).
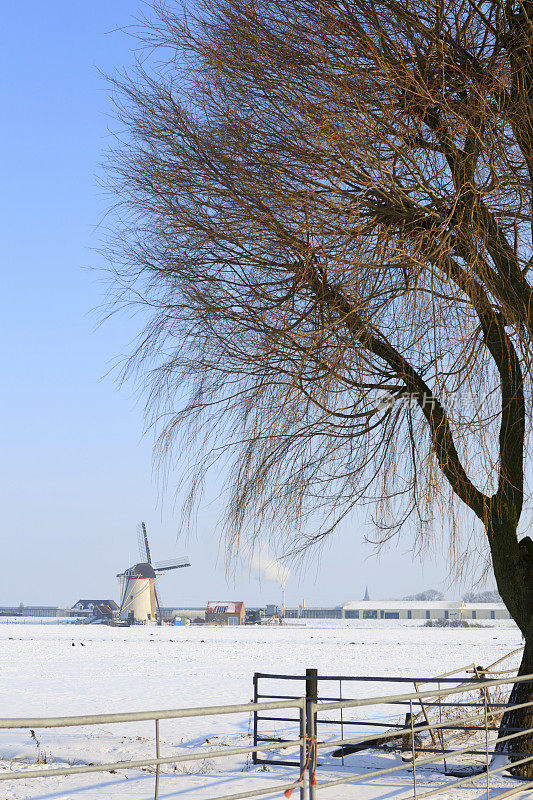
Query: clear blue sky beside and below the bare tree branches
point(76, 467)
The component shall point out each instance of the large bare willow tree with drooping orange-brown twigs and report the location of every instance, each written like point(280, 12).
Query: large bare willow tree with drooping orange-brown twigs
point(327, 212)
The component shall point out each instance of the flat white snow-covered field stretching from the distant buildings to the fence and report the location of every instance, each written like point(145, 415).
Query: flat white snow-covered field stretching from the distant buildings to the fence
point(62, 670)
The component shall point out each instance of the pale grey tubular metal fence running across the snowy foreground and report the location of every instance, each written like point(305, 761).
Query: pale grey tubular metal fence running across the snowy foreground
point(307, 778)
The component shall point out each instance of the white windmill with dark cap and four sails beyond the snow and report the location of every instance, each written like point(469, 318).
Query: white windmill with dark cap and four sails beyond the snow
point(139, 601)
